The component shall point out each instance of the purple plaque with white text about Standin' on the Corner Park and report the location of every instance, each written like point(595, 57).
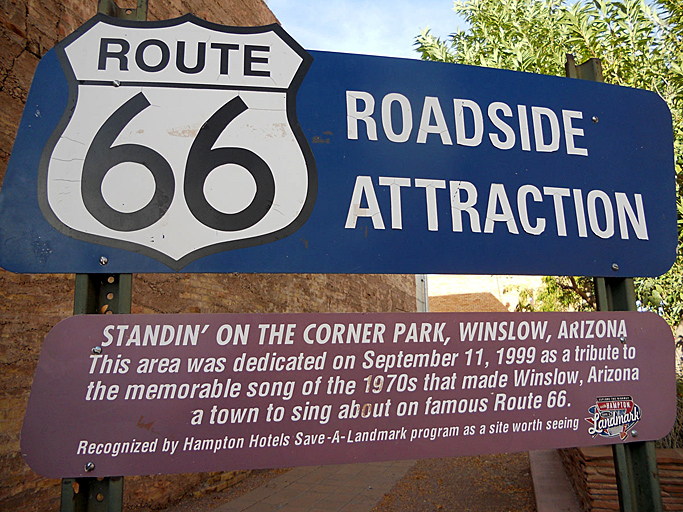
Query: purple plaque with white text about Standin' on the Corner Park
point(129, 394)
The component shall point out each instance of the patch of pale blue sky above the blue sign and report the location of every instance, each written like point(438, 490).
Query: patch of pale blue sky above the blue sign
point(374, 27)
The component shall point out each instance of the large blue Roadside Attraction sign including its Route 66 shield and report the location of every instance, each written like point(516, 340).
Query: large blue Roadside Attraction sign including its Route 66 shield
point(182, 145)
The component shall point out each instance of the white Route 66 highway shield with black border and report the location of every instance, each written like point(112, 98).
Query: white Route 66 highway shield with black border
point(181, 139)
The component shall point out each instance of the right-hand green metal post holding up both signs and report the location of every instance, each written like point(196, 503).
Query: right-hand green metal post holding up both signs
point(635, 463)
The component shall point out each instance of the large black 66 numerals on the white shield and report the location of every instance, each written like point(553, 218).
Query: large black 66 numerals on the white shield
point(201, 160)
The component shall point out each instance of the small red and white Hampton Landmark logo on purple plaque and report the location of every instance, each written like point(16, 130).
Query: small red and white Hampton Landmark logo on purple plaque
point(613, 416)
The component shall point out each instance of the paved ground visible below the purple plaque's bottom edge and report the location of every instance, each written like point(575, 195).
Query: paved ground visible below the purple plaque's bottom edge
point(490, 483)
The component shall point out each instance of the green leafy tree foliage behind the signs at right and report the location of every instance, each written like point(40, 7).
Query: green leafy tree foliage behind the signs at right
point(640, 45)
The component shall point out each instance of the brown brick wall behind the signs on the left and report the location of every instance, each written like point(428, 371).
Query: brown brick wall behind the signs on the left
point(31, 304)
